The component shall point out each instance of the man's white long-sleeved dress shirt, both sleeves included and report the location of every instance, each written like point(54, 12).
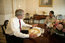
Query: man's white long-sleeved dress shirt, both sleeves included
point(13, 28)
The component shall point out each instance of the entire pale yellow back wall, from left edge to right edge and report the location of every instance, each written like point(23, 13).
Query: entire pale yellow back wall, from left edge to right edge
point(8, 7)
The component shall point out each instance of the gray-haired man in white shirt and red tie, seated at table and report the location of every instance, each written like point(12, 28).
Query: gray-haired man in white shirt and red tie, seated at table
point(15, 26)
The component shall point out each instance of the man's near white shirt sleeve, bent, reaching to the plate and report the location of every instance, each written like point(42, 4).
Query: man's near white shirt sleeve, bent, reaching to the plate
point(17, 32)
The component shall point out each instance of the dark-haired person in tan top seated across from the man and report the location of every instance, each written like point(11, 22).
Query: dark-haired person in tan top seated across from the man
point(51, 18)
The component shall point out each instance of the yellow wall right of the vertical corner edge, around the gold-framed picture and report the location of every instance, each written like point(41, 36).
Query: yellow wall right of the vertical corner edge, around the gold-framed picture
point(32, 7)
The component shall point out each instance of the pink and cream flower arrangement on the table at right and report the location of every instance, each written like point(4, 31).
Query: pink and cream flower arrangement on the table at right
point(57, 27)
